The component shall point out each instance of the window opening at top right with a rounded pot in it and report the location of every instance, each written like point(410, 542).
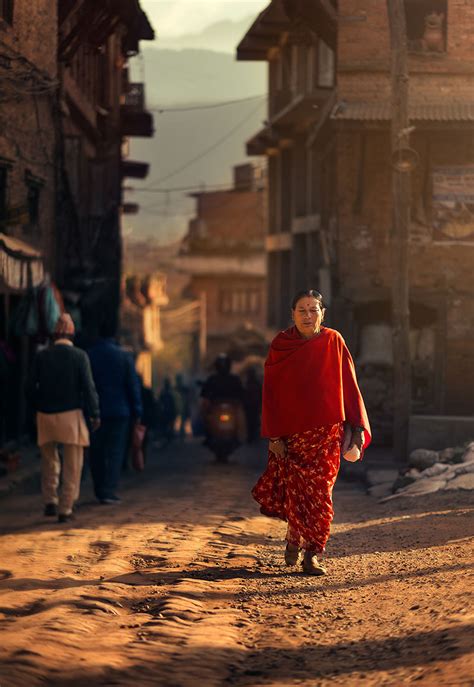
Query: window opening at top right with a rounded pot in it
point(426, 25)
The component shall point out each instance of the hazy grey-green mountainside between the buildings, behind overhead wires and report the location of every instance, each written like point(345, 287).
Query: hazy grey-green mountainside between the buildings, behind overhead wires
point(182, 139)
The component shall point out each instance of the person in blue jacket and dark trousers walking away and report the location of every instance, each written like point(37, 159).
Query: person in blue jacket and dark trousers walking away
point(118, 386)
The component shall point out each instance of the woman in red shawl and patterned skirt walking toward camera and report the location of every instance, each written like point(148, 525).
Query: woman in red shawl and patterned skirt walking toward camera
point(312, 410)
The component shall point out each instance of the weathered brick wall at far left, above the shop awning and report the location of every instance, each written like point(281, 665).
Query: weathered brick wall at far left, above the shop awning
point(27, 120)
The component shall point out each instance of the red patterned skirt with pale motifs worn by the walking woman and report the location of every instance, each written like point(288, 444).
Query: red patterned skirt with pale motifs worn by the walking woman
point(298, 488)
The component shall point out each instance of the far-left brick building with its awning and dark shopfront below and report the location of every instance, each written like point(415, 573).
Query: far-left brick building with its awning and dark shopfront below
point(28, 122)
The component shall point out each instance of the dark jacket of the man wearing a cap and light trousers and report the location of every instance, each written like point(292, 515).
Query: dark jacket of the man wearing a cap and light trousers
point(61, 380)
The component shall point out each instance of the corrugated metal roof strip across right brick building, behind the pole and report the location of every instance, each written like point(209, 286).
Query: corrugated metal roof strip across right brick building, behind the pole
point(381, 111)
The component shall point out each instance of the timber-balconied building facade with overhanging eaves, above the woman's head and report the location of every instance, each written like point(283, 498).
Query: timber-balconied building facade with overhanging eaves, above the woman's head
point(300, 153)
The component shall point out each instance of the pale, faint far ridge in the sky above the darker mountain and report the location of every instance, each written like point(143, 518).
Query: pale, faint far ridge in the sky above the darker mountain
point(223, 36)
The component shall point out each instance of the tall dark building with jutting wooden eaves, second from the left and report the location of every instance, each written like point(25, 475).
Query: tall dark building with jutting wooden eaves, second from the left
point(99, 108)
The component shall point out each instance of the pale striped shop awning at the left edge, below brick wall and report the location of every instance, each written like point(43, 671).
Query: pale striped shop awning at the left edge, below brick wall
point(21, 265)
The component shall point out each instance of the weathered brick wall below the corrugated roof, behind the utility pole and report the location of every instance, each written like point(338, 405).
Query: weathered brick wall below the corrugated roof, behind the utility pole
point(440, 271)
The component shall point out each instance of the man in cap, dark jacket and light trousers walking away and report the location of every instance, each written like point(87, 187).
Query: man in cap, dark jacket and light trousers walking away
point(62, 390)
